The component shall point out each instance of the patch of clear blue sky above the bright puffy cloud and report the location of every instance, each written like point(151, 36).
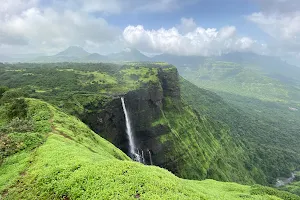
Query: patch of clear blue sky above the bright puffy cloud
point(208, 13)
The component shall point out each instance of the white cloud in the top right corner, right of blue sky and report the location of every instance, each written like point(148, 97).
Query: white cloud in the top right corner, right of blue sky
point(280, 19)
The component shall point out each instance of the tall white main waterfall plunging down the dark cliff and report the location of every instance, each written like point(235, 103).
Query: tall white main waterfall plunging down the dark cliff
point(132, 148)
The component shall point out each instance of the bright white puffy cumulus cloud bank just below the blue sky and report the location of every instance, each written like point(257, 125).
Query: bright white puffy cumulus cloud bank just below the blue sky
point(199, 41)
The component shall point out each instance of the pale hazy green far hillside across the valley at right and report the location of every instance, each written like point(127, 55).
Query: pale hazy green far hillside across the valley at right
point(241, 79)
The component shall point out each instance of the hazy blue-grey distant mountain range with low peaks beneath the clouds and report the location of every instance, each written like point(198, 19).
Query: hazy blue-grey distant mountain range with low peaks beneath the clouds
point(78, 54)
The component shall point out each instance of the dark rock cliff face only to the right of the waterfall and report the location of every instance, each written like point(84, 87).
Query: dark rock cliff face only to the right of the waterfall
point(145, 107)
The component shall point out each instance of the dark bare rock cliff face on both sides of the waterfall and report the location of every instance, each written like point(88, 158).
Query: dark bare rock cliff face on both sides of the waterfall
point(145, 107)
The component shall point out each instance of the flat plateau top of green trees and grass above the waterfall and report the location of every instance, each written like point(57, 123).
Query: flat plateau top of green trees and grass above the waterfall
point(72, 86)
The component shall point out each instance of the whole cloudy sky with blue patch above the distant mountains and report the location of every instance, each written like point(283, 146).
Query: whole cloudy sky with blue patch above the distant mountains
point(189, 27)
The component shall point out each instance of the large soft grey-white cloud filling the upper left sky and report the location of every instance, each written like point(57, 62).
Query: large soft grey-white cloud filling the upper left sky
point(50, 29)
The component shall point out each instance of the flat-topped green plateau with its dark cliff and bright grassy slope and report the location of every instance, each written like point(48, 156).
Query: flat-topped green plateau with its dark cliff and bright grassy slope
point(162, 123)
